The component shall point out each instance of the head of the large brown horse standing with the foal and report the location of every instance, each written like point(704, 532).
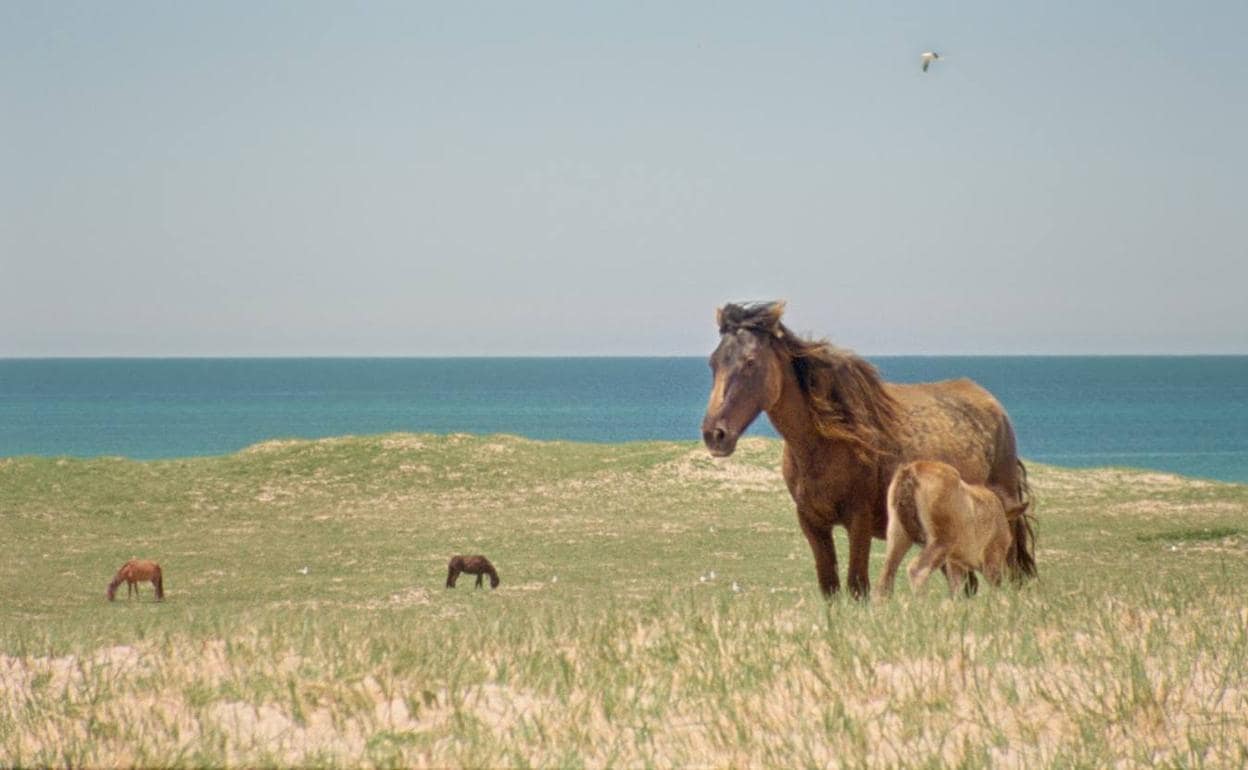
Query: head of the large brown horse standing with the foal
point(747, 370)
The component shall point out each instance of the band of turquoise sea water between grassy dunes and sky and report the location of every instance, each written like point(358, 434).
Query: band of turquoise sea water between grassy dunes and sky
point(1186, 415)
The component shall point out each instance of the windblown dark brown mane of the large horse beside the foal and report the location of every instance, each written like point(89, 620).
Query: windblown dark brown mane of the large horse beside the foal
point(846, 394)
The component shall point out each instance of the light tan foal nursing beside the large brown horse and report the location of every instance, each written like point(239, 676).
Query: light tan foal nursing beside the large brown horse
point(963, 527)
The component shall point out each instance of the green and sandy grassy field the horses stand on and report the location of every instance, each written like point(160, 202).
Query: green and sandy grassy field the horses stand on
point(657, 608)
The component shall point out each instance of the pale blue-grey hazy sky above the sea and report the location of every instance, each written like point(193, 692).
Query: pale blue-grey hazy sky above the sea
point(581, 179)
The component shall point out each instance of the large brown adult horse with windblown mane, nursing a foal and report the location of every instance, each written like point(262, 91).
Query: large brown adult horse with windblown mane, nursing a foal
point(846, 431)
